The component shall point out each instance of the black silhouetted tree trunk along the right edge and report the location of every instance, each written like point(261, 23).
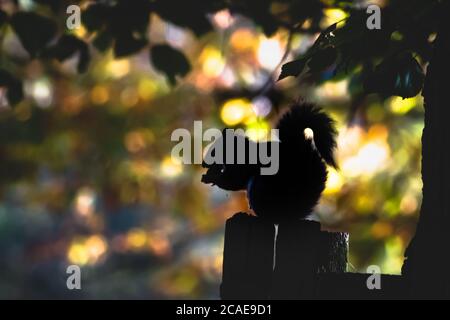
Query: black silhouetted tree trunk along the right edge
point(428, 255)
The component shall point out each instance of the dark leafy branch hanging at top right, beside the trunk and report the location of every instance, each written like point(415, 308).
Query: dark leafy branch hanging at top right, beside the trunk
point(353, 44)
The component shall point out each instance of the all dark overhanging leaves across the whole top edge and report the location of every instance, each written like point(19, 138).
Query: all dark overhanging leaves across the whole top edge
point(342, 47)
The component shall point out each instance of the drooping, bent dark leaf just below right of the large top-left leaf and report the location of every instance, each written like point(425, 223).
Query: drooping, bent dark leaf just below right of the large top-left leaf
point(66, 47)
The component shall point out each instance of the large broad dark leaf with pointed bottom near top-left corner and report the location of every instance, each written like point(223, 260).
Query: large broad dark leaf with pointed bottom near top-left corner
point(33, 30)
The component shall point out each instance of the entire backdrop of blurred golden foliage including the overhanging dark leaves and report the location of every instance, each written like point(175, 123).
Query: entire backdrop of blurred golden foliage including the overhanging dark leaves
point(86, 116)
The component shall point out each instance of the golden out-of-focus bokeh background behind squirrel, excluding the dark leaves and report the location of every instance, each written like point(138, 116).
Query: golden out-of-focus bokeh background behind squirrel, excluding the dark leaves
point(86, 175)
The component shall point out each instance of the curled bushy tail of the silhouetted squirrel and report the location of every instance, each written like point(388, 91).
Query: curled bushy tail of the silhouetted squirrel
point(303, 116)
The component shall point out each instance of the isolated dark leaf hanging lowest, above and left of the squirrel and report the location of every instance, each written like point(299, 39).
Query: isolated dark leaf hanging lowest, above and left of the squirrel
point(170, 61)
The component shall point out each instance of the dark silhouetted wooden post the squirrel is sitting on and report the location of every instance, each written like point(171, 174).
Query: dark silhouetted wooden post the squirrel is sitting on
point(260, 263)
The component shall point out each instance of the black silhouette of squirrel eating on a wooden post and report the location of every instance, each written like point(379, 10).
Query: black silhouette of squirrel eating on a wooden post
point(307, 142)
